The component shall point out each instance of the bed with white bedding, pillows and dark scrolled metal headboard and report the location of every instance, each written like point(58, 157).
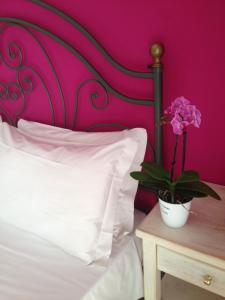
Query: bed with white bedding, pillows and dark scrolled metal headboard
point(66, 151)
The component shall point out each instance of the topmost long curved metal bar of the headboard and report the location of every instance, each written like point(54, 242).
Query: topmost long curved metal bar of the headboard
point(90, 37)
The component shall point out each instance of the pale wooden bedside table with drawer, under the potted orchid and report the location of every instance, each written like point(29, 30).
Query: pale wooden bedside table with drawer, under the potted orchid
point(194, 253)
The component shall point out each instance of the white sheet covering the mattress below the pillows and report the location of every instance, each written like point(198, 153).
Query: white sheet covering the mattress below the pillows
point(34, 269)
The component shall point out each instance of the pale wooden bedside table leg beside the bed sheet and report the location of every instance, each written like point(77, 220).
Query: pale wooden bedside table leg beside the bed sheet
point(152, 278)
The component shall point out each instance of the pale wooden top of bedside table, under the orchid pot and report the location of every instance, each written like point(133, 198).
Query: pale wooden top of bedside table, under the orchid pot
point(204, 231)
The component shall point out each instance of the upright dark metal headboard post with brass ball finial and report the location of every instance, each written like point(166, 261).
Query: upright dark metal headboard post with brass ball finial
point(157, 51)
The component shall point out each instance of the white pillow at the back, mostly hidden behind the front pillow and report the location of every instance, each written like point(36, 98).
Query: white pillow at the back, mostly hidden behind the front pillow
point(125, 210)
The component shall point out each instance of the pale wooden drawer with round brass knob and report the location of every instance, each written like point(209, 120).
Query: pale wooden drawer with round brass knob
point(191, 270)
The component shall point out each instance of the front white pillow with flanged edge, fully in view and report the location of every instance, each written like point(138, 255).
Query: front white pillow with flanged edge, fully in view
point(63, 192)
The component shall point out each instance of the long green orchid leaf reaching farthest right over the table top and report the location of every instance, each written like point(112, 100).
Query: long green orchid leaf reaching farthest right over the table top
point(198, 186)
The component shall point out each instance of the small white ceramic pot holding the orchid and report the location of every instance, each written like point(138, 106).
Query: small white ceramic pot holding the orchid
point(174, 215)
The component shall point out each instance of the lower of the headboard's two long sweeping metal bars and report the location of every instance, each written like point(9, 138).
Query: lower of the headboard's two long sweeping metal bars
point(82, 59)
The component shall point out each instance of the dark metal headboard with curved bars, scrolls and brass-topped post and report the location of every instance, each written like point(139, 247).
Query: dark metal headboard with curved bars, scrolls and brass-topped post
point(24, 85)
